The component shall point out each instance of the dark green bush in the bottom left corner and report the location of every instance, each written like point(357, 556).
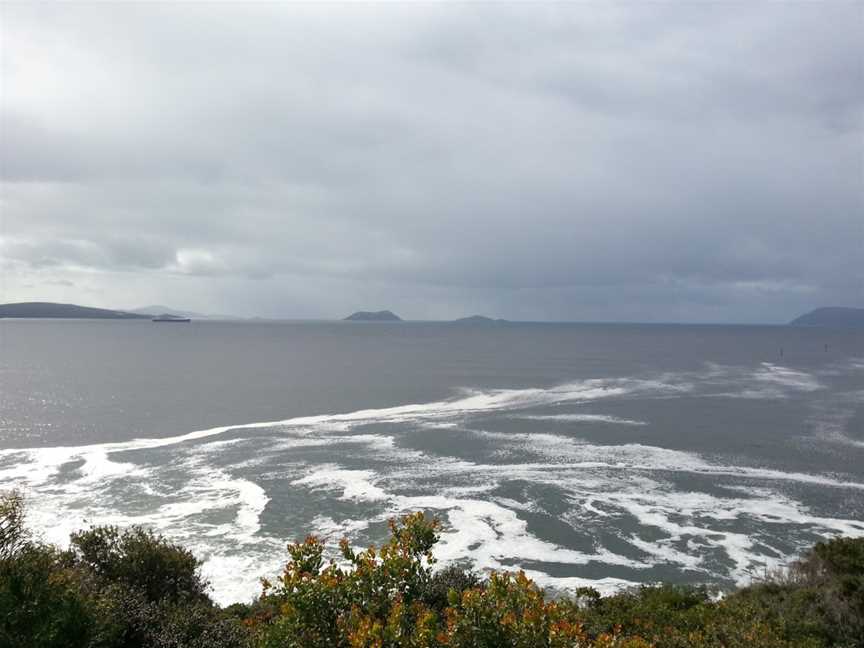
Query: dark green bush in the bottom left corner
point(112, 589)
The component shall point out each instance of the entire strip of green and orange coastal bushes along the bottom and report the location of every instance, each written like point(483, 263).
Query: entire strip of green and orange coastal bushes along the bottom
point(133, 588)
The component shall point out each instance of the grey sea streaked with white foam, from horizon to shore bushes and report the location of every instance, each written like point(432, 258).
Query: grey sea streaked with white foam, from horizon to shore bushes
point(585, 454)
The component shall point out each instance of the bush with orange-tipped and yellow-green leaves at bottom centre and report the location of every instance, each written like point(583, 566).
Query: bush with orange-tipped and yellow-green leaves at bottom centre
point(391, 598)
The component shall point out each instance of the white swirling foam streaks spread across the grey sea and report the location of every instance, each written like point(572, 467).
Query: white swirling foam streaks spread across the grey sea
point(217, 512)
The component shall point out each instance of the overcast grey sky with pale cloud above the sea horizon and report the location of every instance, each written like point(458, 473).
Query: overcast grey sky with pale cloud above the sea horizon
point(693, 162)
